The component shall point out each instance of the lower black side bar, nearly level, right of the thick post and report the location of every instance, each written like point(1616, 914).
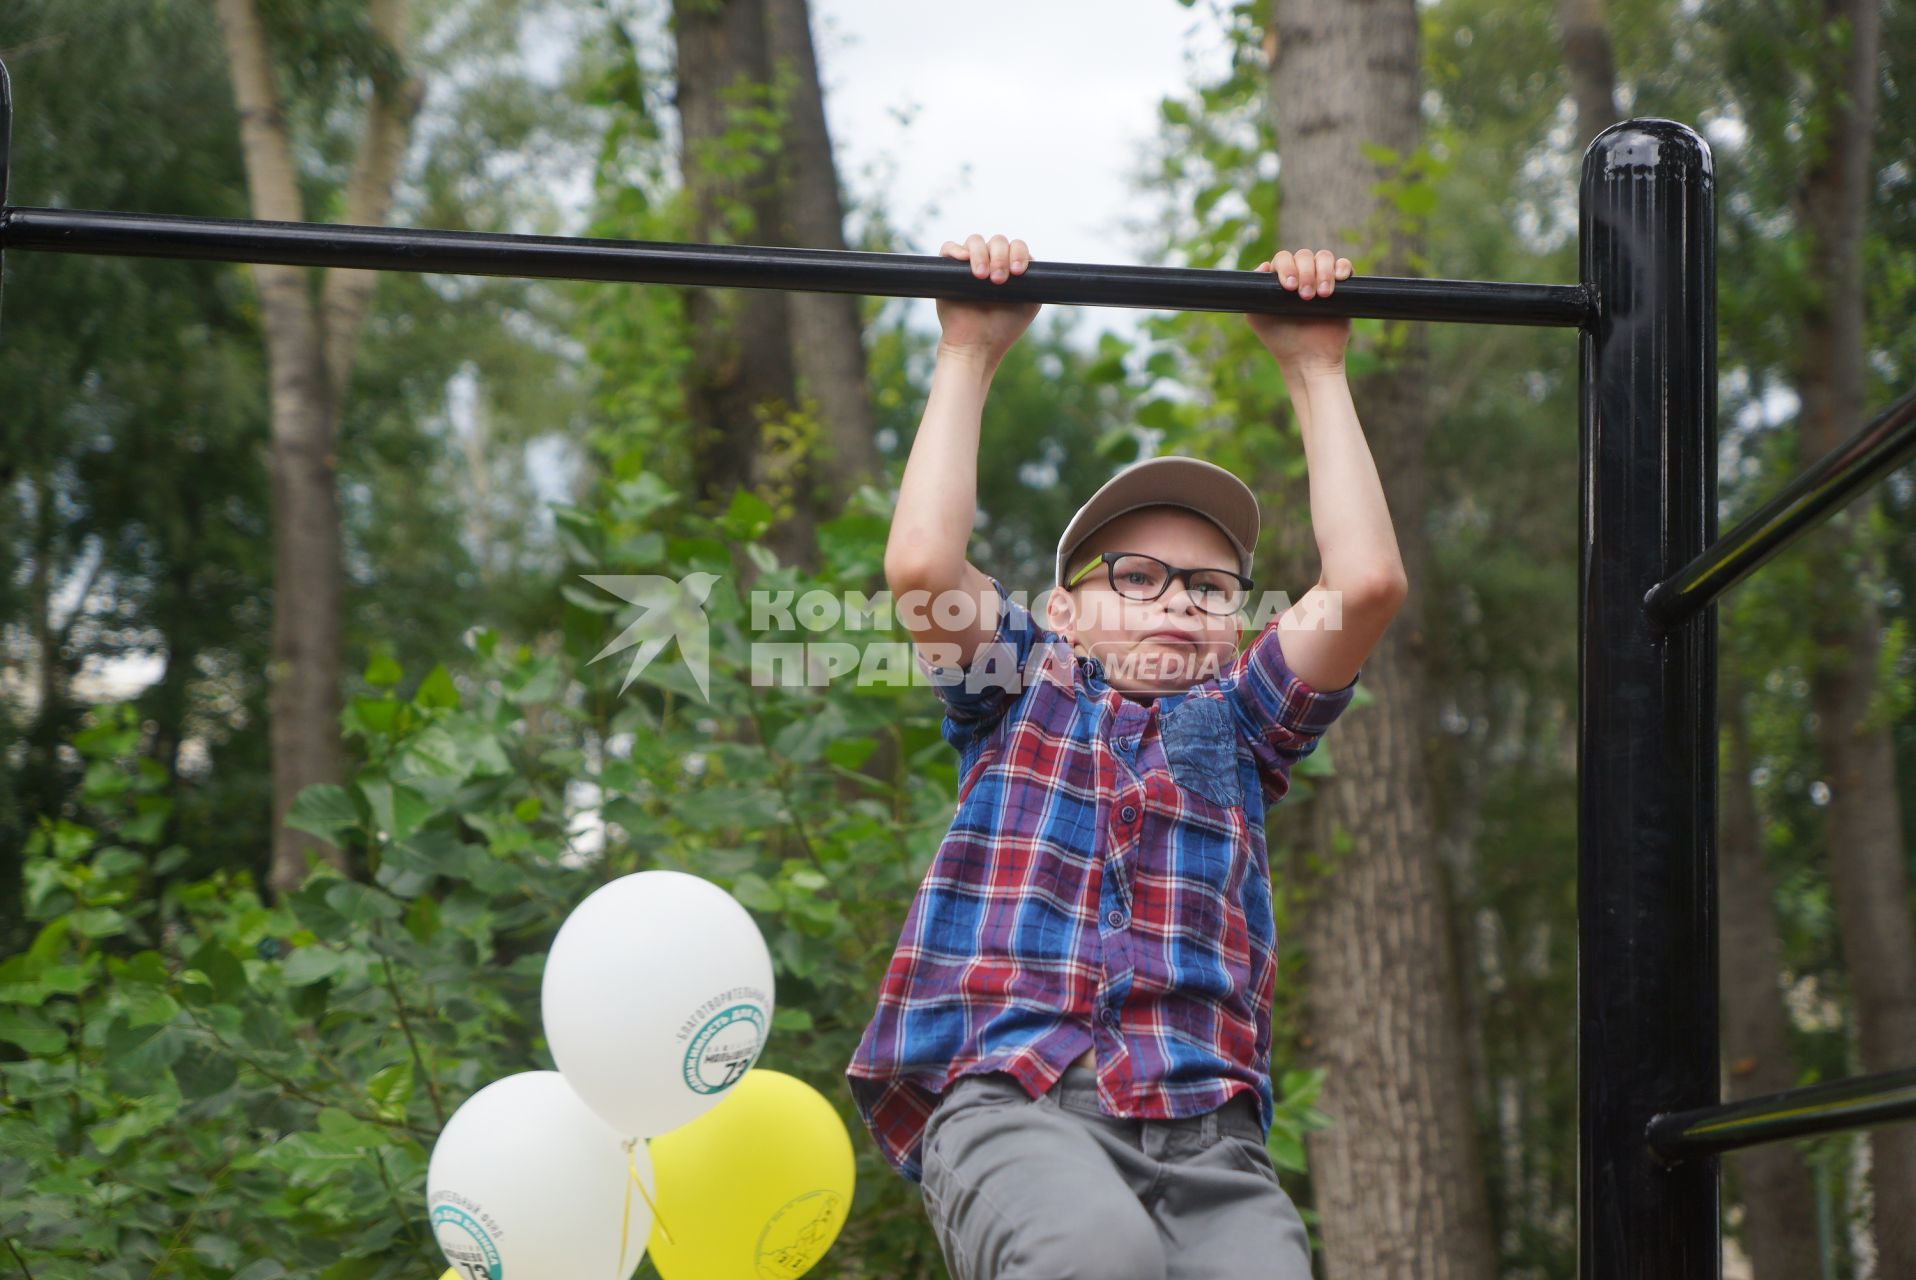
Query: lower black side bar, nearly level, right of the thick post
point(1792, 1114)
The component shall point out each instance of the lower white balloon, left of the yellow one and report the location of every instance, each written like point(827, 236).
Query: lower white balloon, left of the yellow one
point(530, 1185)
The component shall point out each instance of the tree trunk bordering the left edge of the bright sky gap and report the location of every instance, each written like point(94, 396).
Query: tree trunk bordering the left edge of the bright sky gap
point(829, 338)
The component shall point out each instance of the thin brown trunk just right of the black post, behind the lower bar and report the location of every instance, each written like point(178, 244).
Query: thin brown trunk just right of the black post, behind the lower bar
point(1773, 1181)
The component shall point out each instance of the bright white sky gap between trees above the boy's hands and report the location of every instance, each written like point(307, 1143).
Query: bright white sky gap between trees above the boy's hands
point(1024, 120)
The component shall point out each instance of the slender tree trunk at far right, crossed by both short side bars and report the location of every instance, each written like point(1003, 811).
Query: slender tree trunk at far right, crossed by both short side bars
point(1867, 852)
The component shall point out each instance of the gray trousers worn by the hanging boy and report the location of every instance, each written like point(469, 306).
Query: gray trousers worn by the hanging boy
point(1051, 1189)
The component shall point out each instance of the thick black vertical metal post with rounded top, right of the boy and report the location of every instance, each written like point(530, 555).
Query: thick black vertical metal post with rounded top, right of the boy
point(1647, 743)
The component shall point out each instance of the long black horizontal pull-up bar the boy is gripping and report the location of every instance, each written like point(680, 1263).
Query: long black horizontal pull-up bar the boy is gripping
point(762, 267)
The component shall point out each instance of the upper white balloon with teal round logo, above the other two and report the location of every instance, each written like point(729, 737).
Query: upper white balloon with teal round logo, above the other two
point(658, 999)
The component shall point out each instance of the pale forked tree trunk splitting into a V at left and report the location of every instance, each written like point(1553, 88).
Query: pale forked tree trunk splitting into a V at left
point(309, 350)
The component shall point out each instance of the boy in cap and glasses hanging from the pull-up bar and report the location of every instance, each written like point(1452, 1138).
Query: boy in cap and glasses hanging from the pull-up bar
point(1072, 1045)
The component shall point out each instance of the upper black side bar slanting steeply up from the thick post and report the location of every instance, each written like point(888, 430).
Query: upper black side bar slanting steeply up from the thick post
point(1886, 444)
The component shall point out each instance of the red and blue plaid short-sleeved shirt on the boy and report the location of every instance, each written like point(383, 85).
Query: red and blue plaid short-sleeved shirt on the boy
point(1105, 884)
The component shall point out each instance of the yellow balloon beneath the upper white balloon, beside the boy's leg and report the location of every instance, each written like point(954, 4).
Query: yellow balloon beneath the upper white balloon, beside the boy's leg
point(754, 1189)
